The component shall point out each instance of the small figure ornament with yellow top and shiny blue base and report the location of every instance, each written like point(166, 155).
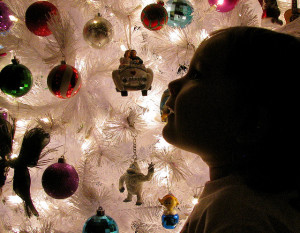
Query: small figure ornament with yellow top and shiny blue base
point(170, 218)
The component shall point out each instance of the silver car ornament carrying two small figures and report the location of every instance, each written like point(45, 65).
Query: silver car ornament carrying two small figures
point(132, 75)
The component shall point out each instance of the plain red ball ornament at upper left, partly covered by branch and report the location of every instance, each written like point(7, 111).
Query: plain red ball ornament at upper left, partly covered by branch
point(37, 16)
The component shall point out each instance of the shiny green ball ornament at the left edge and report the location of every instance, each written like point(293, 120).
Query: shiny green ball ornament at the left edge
point(15, 79)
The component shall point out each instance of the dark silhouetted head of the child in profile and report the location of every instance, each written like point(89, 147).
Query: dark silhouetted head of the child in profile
point(239, 98)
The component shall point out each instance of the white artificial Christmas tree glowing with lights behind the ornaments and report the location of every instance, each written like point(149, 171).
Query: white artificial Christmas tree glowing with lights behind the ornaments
point(95, 129)
